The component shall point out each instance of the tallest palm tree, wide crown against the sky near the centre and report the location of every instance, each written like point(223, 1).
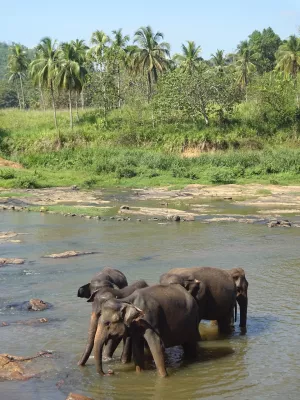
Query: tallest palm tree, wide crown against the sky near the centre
point(150, 56)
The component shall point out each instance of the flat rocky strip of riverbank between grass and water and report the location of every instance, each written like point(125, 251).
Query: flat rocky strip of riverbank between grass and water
point(223, 203)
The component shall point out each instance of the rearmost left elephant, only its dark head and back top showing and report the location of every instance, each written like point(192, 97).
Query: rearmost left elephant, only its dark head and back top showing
point(111, 275)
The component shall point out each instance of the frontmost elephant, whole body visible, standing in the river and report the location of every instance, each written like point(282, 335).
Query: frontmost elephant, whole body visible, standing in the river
point(159, 316)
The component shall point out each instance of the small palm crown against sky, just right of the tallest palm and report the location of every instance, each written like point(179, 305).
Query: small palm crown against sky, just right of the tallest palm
point(190, 58)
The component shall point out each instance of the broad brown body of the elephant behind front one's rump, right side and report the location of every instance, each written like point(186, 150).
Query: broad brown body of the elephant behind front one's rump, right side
point(217, 299)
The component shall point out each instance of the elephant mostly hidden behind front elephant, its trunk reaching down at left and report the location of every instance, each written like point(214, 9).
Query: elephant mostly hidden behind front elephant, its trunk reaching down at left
point(98, 298)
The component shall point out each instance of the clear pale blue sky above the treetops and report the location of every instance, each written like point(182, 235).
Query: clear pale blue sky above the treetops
point(212, 23)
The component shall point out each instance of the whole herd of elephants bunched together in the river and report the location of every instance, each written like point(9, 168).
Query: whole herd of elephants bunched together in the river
point(160, 316)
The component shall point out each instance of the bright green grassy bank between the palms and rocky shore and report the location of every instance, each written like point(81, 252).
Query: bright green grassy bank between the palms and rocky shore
point(101, 153)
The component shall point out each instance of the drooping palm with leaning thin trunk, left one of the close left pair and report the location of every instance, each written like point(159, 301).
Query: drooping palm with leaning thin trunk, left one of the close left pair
point(44, 67)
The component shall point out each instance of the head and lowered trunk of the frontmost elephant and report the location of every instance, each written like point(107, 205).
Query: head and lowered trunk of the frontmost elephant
point(116, 317)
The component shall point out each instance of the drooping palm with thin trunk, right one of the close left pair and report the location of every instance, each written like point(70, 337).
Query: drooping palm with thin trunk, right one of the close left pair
point(70, 74)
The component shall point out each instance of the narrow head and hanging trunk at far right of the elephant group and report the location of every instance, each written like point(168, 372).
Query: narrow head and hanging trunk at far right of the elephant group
point(241, 283)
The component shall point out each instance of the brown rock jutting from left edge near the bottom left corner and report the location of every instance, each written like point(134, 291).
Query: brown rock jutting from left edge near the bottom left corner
point(23, 368)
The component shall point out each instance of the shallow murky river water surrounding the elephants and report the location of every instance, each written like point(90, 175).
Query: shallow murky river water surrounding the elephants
point(263, 364)
